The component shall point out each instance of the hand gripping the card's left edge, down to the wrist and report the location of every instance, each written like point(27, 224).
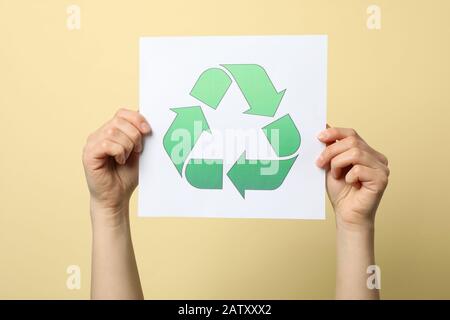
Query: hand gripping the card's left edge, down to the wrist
point(111, 158)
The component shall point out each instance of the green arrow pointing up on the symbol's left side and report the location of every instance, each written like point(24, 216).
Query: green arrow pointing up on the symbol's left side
point(183, 134)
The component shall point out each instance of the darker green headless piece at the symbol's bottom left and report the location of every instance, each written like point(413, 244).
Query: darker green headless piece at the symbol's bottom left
point(205, 173)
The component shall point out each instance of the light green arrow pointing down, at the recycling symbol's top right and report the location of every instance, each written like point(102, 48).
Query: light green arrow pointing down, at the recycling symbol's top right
point(257, 88)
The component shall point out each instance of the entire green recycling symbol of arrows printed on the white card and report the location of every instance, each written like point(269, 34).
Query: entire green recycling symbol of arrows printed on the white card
point(263, 100)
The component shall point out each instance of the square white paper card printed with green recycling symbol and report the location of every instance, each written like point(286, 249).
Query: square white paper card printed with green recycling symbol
point(234, 122)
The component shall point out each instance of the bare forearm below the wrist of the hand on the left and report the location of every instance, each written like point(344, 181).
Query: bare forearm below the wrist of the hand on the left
point(114, 270)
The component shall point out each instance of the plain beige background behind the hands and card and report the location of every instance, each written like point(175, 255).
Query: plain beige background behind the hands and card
point(58, 85)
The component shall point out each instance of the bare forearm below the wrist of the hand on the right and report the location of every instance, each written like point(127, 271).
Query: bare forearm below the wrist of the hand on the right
point(355, 252)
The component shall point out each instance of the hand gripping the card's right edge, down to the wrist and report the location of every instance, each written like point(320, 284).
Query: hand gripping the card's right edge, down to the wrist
point(356, 177)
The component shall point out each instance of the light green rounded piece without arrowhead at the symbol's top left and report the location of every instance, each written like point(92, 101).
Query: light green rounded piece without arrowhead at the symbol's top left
point(211, 87)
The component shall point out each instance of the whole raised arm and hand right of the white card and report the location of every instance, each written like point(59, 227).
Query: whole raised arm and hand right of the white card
point(356, 177)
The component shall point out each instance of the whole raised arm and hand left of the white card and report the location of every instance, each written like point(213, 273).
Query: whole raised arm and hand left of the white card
point(110, 159)
